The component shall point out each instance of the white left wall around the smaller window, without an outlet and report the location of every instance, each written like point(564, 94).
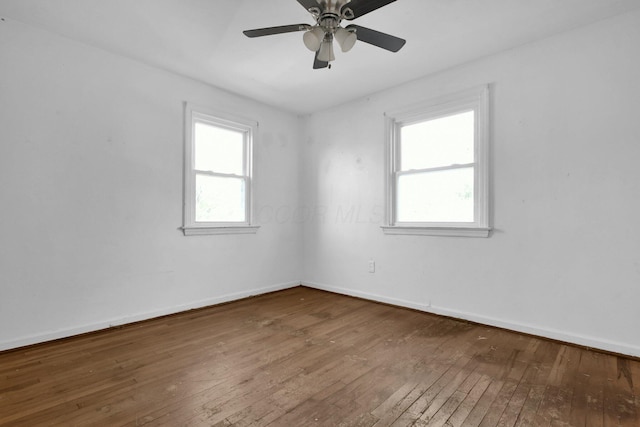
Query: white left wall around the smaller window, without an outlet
point(91, 149)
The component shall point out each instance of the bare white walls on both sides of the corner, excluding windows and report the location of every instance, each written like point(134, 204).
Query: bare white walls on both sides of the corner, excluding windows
point(91, 152)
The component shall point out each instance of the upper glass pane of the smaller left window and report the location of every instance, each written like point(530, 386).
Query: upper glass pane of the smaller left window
point(218, 149)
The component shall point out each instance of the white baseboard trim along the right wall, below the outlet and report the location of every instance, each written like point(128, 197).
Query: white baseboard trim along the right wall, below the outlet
point(582, 340)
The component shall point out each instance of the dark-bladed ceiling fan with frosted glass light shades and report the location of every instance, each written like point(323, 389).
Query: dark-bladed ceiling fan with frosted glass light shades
point(328, 15)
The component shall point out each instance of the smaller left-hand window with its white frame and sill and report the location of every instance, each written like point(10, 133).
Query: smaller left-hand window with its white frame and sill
point(217, 197)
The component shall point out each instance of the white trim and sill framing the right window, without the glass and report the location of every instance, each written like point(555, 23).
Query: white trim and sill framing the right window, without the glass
point(476, 99)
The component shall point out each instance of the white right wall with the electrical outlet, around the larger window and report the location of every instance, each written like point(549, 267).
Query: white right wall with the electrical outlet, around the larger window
point(564, 259)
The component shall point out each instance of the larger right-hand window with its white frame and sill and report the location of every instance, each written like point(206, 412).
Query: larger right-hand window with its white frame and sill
point(437, 179)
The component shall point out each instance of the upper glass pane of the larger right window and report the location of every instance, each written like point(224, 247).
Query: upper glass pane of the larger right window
point(439, 142)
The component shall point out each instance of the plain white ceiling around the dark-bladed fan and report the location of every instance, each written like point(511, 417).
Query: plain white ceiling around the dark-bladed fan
point(203, 39)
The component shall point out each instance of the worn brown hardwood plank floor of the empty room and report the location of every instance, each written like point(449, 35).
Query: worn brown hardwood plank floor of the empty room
point(303, 357)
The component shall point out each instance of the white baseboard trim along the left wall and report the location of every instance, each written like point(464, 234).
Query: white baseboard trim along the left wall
point(65, 333)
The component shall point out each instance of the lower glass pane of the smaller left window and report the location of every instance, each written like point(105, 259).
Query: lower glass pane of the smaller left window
point(220, 199)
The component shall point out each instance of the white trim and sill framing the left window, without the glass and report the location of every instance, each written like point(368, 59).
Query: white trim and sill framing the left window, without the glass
point(190, 226)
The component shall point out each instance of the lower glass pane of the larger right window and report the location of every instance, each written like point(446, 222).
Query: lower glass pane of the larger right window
point(440, 196)
